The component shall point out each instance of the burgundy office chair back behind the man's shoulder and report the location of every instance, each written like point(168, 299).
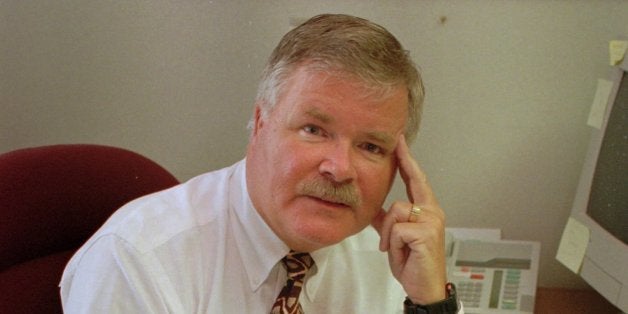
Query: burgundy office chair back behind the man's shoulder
point(52, 198)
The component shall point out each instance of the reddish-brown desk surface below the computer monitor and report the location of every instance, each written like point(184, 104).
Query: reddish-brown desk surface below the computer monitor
point(560, 300)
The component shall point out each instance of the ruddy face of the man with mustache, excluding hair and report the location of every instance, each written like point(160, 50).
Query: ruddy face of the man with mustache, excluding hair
point(320, 165)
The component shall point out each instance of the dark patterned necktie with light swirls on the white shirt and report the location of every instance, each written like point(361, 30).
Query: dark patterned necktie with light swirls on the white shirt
point(297, 265)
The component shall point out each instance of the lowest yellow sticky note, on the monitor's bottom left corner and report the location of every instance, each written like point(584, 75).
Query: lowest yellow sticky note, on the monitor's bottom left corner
point(573, 245)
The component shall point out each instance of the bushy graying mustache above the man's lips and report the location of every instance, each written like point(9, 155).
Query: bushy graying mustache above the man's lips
point(331, 192)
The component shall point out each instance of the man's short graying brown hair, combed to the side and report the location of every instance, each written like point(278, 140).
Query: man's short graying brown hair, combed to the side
point(349, 45)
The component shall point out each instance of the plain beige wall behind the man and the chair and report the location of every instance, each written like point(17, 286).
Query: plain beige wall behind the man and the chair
point(509, 86)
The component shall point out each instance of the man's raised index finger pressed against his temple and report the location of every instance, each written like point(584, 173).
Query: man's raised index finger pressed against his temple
point(417, 187)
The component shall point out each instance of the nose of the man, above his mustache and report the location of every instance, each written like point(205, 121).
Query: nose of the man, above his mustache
point(338, 163)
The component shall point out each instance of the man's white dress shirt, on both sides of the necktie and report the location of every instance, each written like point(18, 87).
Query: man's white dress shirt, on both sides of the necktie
point(201, 247)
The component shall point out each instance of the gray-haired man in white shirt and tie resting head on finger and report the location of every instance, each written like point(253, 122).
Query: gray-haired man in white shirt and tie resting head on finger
point(337, 101)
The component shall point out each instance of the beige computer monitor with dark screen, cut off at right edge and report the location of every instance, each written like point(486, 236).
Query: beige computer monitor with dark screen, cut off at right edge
point(601, 202)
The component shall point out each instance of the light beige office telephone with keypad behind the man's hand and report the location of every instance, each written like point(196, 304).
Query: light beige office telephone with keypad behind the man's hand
point(493, 275)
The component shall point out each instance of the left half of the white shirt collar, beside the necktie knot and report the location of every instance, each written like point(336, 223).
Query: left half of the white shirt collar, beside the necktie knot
point(258, 245)
